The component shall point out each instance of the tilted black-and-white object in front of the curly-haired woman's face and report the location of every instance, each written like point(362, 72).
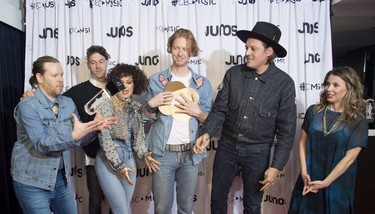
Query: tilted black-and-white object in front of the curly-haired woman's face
point(113, 86)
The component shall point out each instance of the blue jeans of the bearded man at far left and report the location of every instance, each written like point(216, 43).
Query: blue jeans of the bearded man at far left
point(34, 200)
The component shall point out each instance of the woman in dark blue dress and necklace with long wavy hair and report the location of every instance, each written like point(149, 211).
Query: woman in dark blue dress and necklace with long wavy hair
point(333, 133)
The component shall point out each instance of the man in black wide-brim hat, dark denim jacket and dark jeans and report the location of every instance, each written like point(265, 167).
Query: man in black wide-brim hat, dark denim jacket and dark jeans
point(255, 105)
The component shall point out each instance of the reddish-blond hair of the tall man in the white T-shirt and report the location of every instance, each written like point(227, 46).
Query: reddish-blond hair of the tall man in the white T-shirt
point(188, 35)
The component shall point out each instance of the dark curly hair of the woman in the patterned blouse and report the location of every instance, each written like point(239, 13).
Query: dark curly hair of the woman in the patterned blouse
point(124, 70)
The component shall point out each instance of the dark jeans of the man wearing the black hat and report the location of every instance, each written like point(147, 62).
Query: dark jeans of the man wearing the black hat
point(253, 163)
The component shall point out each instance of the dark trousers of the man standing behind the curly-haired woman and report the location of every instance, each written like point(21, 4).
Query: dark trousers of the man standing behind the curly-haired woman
point(96, 194)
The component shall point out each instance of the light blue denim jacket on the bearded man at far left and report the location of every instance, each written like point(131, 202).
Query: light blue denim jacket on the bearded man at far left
point(42, 139)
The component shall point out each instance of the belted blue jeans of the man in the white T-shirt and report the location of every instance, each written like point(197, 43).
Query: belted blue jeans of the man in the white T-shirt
point(174, 167)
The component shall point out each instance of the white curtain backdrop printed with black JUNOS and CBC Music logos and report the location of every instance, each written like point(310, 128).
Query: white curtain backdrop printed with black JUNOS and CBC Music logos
point(136, 32)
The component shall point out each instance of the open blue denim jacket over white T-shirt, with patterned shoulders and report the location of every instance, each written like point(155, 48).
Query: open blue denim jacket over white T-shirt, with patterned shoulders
point(161, 128)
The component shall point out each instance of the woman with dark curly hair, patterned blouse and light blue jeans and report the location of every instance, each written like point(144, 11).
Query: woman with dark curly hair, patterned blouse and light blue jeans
point(115, 164)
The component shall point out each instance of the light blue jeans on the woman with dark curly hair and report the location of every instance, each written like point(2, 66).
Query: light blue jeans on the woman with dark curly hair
point(116, 190)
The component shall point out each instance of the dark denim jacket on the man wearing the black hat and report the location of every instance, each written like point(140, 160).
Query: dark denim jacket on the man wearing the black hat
point(252, 109)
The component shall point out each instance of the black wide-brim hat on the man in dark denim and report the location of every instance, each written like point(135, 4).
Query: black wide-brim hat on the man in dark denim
point(267, 33)
